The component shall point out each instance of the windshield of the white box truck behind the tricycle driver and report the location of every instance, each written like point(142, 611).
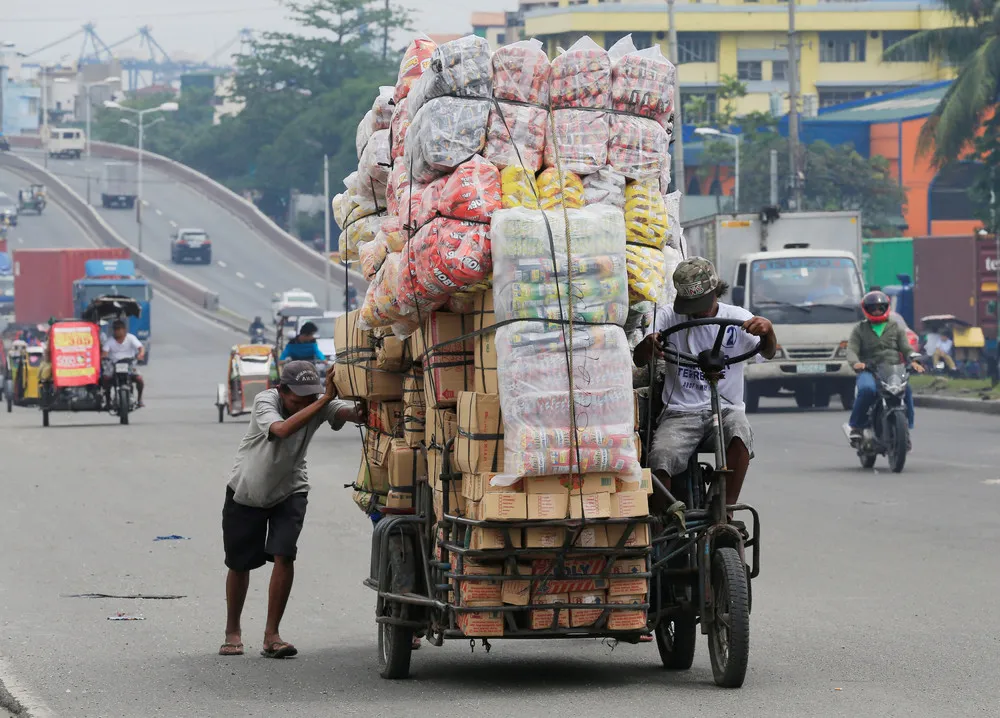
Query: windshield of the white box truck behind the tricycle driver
point(805, 290)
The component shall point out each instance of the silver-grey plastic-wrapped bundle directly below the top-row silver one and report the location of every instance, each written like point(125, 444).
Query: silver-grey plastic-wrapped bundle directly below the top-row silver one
point(444, 133)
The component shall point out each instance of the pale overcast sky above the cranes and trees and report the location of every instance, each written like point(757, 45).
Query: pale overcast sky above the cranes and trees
point(193, 28)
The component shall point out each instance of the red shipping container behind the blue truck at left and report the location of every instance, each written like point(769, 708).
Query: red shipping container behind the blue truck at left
point(43, 280)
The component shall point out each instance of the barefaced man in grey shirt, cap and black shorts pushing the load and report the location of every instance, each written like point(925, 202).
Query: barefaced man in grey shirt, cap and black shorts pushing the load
point(267, 494)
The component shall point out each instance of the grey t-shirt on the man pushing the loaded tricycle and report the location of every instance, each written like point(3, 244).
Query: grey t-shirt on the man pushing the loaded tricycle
point(268, 470)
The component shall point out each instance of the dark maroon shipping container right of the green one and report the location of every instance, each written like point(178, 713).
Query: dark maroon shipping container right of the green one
point(956, 275)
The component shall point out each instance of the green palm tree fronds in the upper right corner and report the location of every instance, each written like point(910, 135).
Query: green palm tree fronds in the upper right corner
point(972, 45)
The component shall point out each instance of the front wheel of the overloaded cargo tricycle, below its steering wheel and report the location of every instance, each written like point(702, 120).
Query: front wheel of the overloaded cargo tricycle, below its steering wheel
point(729, 630)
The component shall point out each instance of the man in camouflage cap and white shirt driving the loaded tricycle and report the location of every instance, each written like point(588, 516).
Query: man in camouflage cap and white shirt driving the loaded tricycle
point(686, 419)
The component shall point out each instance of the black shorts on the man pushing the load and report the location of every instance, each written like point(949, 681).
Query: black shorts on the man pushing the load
point(252, 536)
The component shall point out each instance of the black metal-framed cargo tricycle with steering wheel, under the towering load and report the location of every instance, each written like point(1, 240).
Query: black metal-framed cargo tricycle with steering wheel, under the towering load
point(666, 574)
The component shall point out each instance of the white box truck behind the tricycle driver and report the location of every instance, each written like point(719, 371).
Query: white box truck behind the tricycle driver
point(801, 271)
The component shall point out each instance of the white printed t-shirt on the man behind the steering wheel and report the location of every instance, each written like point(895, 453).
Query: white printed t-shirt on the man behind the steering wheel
point(685, 388)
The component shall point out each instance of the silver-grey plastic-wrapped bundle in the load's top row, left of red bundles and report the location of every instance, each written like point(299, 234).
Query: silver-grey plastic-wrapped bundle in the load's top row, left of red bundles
point(461, 68)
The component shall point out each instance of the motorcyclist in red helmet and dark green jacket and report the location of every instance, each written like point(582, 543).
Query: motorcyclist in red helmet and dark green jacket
point(876, 340)
